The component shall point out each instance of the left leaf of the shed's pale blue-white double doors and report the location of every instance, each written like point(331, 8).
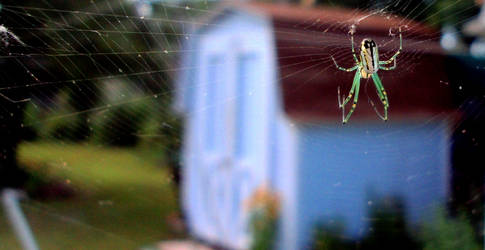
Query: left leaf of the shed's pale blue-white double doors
point(217, 136)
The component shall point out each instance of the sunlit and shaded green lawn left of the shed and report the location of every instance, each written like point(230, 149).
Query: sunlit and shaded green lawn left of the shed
point(123, 198)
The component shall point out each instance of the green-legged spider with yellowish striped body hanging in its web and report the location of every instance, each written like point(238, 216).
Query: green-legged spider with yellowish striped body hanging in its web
point(367, 67)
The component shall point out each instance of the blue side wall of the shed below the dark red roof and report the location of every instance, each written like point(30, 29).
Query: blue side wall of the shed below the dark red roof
point(341, 170)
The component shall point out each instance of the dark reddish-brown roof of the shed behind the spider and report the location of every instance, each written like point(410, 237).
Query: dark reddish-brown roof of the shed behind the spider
point(306, 38)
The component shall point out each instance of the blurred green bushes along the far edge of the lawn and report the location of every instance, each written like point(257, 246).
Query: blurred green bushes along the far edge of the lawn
point(123, 117)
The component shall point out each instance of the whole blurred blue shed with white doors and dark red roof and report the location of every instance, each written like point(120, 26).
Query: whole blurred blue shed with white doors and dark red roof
point(258, 92)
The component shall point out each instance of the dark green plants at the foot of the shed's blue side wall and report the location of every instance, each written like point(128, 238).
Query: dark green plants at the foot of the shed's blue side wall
point(388, 230)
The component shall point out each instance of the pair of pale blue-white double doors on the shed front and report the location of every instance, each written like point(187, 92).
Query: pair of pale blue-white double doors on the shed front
point(233, 165)
